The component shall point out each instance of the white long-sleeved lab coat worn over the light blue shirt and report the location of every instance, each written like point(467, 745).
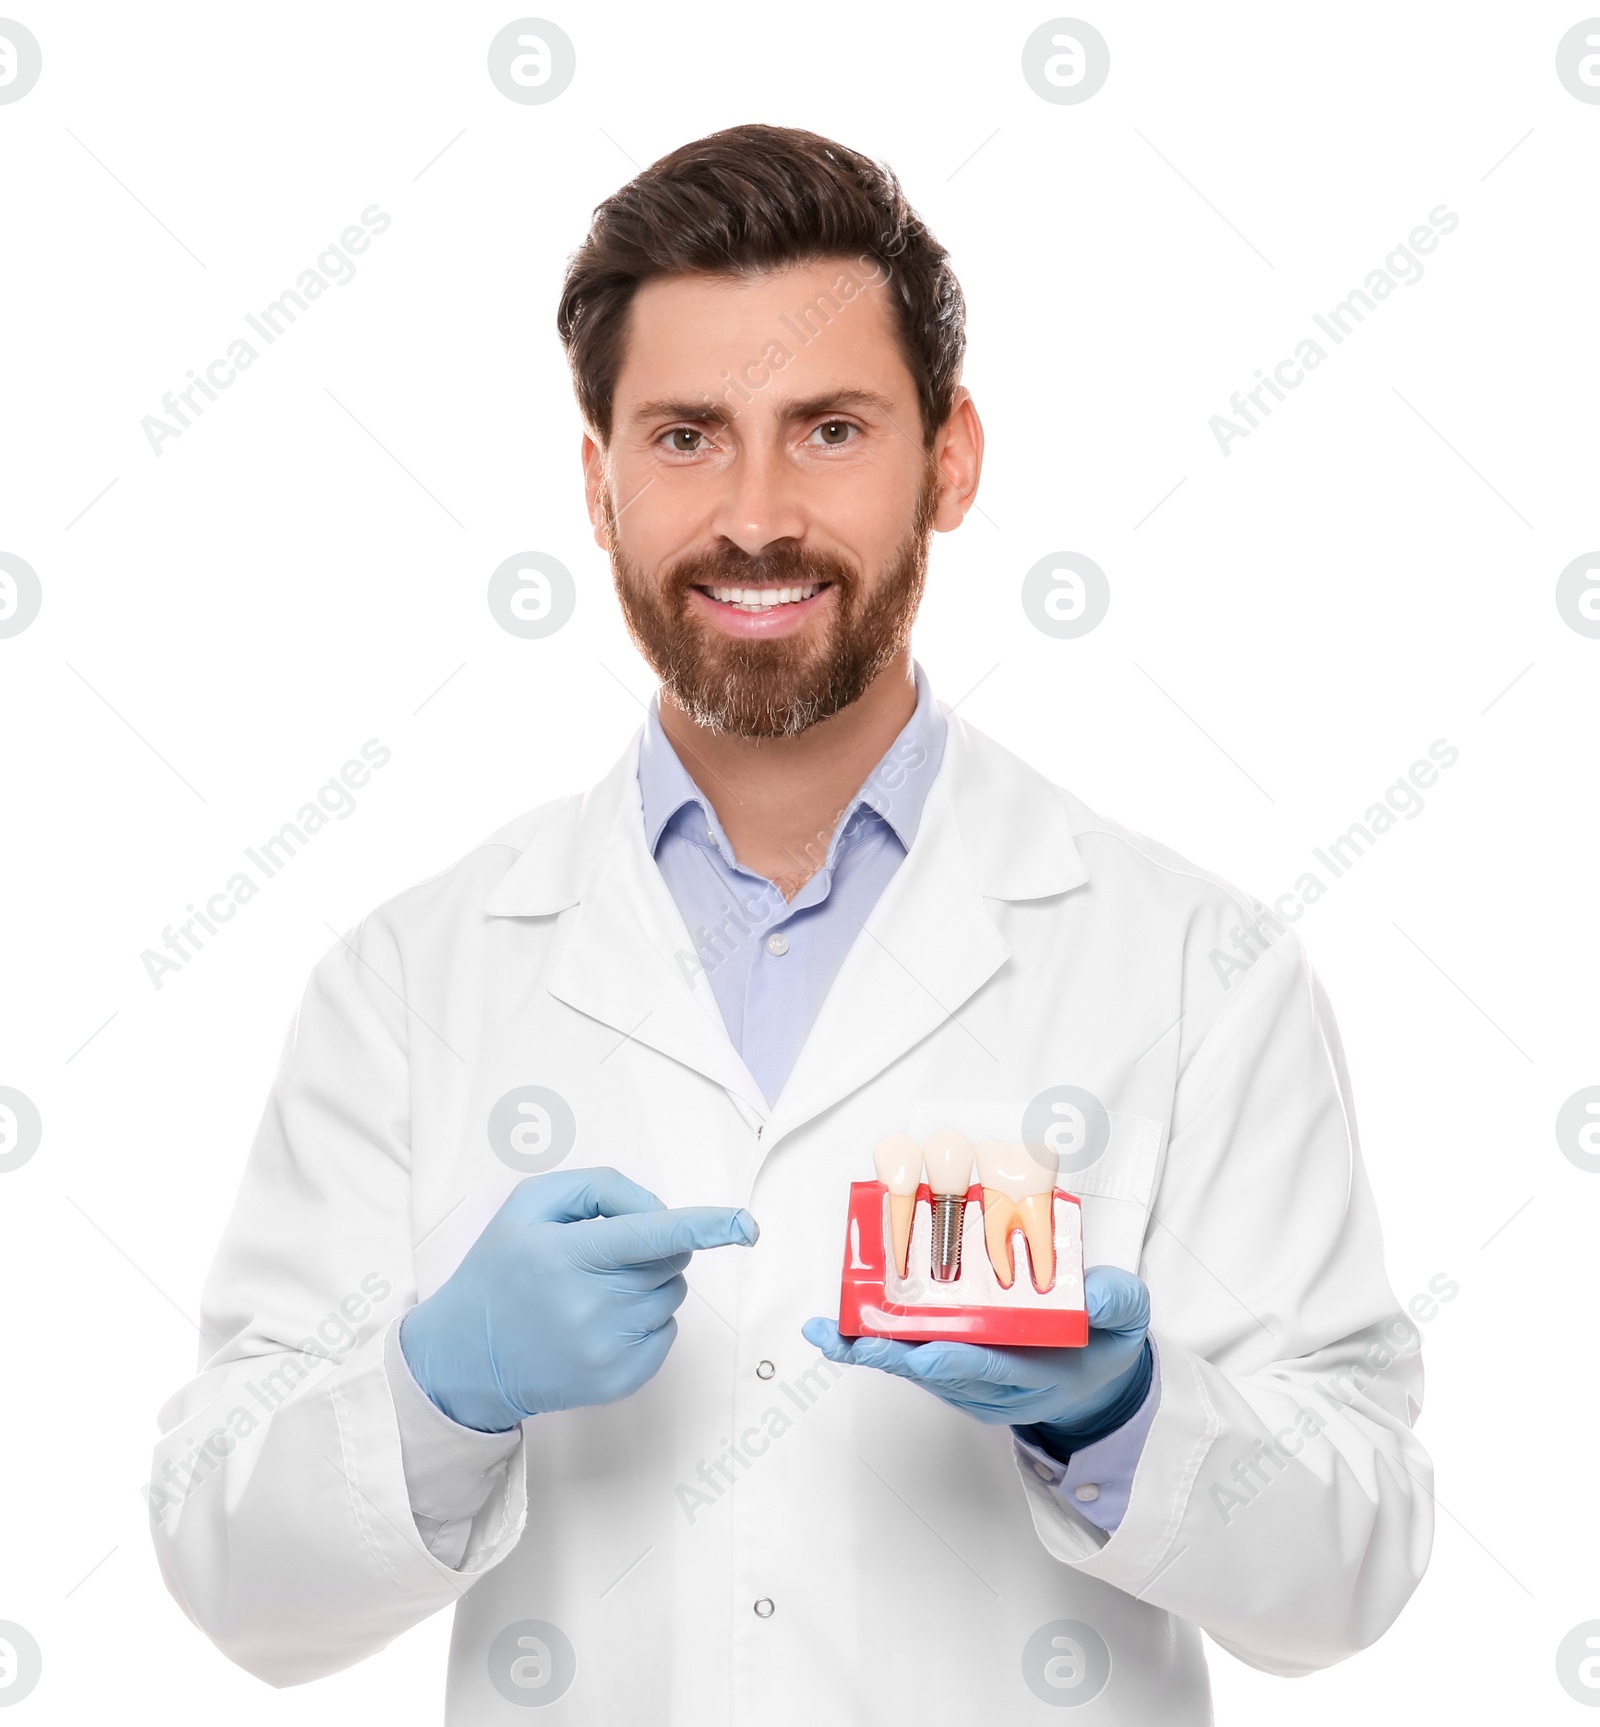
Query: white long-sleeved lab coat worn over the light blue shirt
point(908, 1552)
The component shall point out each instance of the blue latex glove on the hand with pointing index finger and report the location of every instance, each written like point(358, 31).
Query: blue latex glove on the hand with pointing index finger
point(564, 1301)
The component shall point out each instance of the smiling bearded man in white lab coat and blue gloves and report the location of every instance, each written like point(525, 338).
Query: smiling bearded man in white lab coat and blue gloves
point(808, 911)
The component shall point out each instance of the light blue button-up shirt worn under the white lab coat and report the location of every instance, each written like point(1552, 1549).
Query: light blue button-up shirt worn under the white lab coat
point(771, 963)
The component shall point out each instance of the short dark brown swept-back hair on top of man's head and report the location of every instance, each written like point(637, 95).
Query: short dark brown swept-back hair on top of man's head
point(746, 201)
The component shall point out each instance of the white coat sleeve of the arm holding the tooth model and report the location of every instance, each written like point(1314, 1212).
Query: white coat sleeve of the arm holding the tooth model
point(1281, 1500)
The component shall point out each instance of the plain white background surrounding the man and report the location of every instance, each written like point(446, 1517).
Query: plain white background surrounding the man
point(1288, 631)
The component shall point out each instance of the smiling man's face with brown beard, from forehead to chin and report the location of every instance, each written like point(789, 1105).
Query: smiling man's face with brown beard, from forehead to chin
point(766, 493)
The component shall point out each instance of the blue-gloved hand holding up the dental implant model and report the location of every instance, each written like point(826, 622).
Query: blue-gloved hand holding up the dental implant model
point(1067, 1396)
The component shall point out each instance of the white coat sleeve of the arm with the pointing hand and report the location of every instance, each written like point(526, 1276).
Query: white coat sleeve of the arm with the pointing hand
point(279, 1498)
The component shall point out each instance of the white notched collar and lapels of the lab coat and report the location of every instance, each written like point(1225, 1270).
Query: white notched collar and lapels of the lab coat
point(993, 830)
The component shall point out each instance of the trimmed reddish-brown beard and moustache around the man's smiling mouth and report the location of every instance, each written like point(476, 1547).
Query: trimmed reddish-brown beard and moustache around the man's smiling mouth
point(787, 685)
